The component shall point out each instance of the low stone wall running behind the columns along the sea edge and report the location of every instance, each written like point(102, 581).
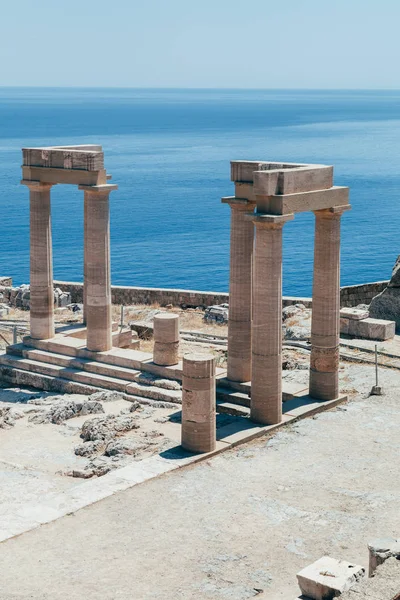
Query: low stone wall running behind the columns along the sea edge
point(126, 295)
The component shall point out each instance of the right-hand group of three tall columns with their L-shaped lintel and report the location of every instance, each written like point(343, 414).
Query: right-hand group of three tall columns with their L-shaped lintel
point(267, 195)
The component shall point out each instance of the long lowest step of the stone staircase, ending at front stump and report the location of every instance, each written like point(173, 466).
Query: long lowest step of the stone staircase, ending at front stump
point(91, 379)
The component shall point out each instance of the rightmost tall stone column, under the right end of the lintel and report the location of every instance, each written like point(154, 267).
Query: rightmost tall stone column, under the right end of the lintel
point(325, 324)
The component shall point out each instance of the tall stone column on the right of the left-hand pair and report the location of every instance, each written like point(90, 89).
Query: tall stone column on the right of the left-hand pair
point(97, 267)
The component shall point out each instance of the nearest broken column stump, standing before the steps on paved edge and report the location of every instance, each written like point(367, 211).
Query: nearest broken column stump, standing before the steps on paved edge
point(198, 403)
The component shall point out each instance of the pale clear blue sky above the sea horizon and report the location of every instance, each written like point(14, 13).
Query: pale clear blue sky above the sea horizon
point(201, 43)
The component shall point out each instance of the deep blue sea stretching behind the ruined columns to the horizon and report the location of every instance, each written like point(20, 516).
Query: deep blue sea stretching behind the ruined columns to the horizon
point(169, 153)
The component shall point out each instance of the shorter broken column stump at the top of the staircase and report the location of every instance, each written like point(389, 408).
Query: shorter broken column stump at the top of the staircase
point(166, 339)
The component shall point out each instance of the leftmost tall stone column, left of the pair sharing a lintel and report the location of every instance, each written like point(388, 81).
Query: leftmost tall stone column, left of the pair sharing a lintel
point(41, 262)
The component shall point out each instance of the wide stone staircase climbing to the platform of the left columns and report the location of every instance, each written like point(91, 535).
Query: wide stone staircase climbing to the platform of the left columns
point(64, 364)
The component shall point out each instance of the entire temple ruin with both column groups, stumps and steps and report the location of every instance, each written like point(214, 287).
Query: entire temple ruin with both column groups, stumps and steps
point(267, 195)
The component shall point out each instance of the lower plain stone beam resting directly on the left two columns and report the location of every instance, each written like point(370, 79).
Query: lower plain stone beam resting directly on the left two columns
point(69, 176)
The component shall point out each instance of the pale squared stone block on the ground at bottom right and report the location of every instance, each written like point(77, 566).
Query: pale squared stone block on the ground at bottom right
point(327, 578)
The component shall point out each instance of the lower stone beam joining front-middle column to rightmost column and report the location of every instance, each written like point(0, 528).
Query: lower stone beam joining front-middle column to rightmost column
point(333, 198)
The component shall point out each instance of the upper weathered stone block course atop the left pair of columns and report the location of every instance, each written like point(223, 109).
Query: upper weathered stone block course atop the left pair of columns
point(86, 158)
